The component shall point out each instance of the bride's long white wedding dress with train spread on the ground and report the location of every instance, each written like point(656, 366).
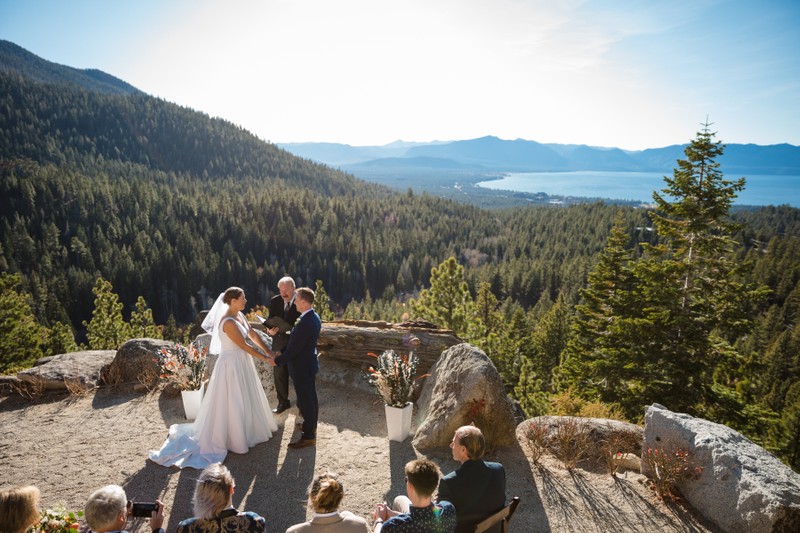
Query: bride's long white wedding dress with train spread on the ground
point(234, 415)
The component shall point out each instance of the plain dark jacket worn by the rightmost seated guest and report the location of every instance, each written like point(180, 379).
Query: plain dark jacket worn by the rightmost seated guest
point(477, 489)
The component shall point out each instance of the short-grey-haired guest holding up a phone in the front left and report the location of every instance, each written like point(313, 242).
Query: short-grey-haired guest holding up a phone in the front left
point(108, 509)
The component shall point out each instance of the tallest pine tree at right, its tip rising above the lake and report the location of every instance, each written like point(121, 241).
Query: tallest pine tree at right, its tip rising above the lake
point(694, 303)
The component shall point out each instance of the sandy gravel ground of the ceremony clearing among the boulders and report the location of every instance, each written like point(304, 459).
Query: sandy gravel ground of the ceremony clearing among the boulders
point(70, 445)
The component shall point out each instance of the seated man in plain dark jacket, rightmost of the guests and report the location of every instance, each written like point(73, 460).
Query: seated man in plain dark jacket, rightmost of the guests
point(478, 488)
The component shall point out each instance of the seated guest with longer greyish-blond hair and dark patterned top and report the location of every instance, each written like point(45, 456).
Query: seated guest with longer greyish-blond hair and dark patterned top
point(213, 506)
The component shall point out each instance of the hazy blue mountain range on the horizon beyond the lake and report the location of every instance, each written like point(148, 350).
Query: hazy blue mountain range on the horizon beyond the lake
point(491, 154)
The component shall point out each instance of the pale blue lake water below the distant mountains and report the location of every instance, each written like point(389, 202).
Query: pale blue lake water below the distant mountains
point(639, 186)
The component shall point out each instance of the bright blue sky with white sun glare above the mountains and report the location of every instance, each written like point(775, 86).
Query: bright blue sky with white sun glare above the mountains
point(631, 74)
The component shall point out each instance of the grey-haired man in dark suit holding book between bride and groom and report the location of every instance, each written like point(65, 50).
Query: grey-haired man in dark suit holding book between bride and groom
point(282, 315)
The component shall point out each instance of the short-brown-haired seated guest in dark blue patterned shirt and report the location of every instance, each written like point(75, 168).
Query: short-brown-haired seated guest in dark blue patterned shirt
point(416, 512)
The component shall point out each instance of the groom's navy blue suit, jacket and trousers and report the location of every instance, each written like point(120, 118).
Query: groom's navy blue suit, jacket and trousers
point(300, 355)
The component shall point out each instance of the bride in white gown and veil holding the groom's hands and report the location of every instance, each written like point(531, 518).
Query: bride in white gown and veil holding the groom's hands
point(235, 413)
